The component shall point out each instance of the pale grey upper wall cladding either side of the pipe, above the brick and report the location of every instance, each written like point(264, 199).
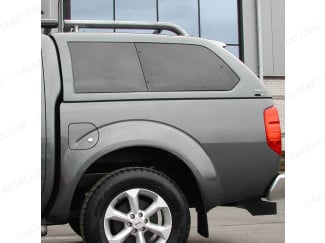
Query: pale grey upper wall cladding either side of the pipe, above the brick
point(273, 37)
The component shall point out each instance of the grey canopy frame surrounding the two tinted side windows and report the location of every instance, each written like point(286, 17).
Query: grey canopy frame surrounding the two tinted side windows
point(242, 89)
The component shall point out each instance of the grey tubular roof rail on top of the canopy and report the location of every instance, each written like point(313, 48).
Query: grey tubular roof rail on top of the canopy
point(108, 24)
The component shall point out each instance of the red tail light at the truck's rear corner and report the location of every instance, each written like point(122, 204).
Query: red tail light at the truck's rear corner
point(272, 129)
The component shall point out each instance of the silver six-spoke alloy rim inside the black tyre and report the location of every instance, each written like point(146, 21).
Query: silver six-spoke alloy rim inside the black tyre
point(146, 218)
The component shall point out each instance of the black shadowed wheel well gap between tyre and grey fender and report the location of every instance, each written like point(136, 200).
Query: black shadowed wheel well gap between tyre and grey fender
point(148, 157)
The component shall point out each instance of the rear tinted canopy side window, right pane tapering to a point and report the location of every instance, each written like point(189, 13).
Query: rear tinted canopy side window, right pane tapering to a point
point(177, 67)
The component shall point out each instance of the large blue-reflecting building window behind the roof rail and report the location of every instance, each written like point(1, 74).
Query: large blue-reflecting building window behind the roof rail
point(211, 19)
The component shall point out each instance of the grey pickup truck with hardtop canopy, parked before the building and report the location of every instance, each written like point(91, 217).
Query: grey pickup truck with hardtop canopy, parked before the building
point(138, 128)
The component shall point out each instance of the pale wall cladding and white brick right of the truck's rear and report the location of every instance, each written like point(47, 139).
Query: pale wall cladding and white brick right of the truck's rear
point(273, 38)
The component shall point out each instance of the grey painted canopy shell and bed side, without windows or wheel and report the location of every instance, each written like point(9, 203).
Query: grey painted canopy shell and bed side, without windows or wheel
point(219, 135)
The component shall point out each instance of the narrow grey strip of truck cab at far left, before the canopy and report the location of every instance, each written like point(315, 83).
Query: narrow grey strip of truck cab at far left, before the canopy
point(51, 88)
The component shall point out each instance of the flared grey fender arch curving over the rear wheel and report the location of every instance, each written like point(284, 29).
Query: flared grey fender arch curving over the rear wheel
point(114, 137)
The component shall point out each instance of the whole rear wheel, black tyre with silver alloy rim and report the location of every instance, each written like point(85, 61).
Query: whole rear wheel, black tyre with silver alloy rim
point(135, 205)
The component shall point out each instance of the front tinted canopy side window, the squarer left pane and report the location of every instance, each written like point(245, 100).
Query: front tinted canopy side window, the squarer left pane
point(106, 67)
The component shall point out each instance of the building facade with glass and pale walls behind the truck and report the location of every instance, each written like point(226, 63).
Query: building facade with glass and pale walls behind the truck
point(252, 29)
